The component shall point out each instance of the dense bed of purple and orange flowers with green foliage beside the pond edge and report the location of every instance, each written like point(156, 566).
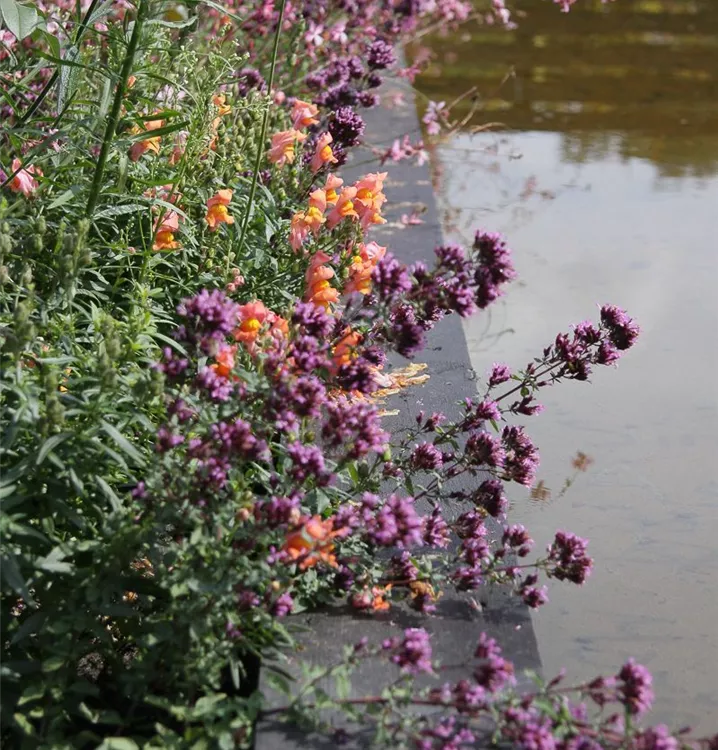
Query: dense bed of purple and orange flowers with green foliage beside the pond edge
point(195, 331)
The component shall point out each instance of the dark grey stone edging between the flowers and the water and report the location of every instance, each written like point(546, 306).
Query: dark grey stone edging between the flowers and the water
point(459, 619)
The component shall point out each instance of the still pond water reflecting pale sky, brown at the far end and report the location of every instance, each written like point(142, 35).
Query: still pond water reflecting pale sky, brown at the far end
point(604, 177)
